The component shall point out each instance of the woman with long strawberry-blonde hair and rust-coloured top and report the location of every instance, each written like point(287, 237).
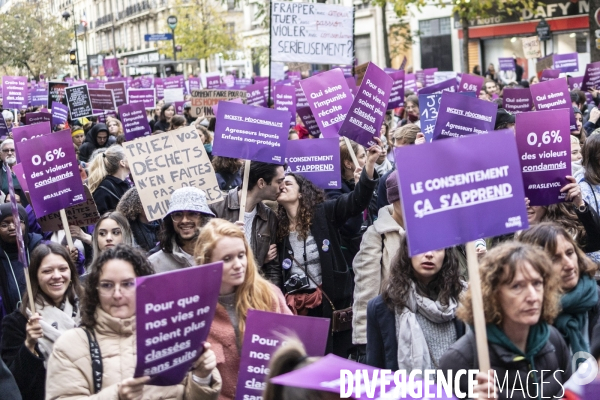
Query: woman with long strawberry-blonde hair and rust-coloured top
point(242, 288)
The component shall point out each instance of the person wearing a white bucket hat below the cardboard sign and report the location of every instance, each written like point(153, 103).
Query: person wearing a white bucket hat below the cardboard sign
point(188, 212)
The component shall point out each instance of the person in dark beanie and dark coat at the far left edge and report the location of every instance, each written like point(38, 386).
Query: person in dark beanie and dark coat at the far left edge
point(12, 275)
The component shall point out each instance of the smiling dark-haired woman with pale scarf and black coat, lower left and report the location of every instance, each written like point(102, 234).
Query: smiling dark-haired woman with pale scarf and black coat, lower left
point(29, 335)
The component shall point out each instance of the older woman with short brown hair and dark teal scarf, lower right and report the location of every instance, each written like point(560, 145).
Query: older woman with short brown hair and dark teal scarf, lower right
point(528, 356)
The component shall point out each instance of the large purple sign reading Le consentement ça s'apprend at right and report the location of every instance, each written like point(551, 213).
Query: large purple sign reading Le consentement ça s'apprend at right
point(463, 180)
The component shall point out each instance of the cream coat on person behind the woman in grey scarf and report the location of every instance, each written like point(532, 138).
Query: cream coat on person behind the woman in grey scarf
point(371, 266)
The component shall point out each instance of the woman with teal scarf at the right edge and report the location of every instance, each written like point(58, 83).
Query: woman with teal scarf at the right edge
point(579, 302)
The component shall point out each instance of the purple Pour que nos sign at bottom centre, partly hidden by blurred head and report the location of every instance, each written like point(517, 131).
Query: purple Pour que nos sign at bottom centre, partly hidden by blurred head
point(264, 335)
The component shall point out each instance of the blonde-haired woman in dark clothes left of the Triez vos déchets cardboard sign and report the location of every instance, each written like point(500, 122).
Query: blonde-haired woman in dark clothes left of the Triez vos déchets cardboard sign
point(106, 179)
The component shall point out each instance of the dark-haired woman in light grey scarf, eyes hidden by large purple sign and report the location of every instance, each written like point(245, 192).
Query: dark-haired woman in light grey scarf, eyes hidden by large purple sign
point(412, 323)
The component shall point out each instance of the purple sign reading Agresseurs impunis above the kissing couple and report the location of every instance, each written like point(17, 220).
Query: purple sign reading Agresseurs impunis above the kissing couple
point(251, 133)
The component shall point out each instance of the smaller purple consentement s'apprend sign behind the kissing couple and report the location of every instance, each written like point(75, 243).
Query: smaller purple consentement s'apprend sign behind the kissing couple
point(320, 164)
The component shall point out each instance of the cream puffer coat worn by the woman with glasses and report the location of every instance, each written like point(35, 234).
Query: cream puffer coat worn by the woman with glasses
point(70, 366)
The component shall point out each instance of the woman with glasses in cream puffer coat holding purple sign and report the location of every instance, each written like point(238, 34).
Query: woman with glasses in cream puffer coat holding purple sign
point(108, 317)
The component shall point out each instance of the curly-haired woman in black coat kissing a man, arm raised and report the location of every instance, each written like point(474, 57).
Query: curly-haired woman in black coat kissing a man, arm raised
point(316, 277)
